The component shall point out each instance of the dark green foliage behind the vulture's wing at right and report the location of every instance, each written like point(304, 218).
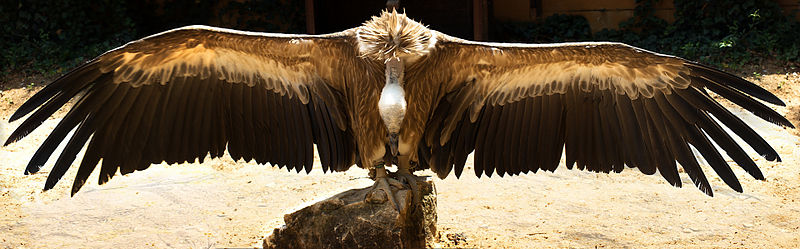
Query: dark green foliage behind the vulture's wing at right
point(722, 32)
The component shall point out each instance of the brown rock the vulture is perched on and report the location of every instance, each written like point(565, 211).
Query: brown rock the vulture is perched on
point(360, 218)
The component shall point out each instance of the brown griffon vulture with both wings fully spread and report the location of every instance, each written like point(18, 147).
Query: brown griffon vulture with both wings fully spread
point(393, 91)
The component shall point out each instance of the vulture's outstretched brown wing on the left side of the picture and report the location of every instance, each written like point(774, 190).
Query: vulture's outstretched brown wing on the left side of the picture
point(194, 91)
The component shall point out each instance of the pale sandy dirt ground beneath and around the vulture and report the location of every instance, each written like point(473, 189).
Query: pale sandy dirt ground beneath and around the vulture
point(222, 203)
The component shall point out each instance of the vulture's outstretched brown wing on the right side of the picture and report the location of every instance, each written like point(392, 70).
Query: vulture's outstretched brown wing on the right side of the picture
point(607, 104)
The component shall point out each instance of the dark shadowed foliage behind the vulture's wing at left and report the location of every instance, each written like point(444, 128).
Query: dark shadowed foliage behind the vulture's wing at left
point(48, 36)
